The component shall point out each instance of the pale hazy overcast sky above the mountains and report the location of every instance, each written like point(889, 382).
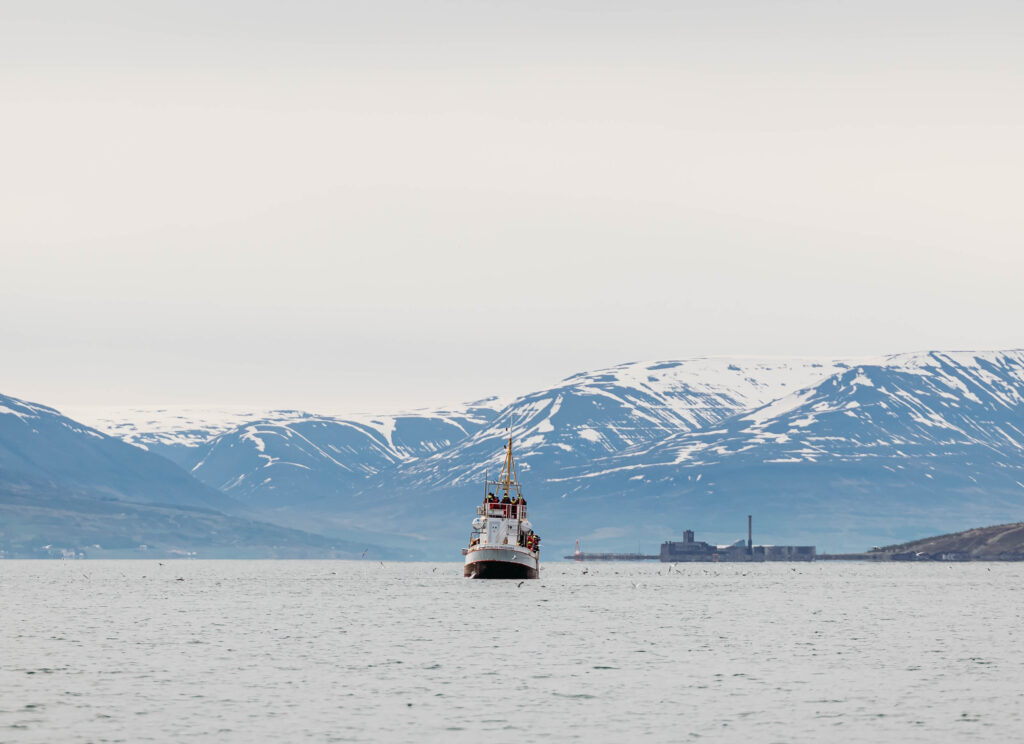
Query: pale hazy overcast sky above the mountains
point(360, 206)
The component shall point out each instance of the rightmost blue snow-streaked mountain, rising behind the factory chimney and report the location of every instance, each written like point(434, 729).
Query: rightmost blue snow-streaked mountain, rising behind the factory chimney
point(910, 444)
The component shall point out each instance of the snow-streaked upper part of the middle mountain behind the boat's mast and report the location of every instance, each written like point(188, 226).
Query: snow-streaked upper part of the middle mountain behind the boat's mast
point(594, 415)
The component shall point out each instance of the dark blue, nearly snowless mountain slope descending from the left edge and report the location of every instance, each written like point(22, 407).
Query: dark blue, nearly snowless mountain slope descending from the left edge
point(75, 490)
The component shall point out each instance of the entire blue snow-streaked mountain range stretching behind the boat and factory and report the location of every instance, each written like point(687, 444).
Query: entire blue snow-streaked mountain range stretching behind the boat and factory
point(837, 454)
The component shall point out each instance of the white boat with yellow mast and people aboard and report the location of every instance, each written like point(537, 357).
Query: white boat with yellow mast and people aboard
point(503, 544)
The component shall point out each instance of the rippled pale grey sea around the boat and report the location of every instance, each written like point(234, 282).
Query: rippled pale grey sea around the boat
point(138, 651)
